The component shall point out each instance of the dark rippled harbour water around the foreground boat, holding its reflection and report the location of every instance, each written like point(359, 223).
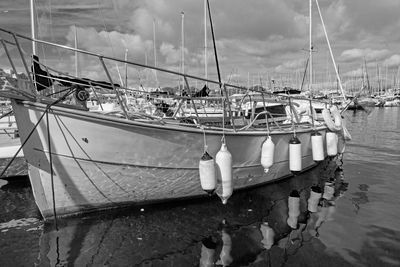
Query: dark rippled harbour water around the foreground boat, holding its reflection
point(359, 226)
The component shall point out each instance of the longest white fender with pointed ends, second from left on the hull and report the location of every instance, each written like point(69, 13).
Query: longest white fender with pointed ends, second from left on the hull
point(223, 159)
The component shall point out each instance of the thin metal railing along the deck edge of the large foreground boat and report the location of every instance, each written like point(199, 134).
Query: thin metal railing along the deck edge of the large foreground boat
point(225, 89)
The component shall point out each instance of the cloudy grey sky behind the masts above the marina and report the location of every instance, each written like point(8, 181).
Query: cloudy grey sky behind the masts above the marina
point(256, 39)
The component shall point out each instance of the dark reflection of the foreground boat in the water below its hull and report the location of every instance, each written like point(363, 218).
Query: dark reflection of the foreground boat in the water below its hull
point(251, 228)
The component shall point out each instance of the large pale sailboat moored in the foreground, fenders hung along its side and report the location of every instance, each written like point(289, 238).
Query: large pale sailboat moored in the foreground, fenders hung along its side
point(81, 161)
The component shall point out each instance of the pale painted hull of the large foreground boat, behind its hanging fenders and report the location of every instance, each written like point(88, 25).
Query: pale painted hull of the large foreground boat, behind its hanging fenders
point(101, 162)
